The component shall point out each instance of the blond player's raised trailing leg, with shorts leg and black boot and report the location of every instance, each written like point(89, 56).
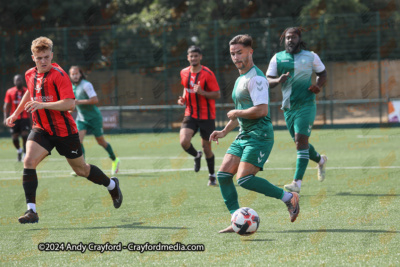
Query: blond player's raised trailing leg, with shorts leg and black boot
point(70, 148)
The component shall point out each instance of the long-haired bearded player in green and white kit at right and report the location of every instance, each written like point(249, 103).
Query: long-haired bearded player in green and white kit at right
point(293, 69)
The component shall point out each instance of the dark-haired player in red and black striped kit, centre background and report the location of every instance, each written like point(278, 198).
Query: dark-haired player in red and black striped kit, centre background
point(200, 89)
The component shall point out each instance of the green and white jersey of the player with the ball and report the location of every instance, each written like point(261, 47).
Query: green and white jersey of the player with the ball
point(251, 89)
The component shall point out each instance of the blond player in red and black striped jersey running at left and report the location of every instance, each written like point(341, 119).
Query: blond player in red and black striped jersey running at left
point(49, 98)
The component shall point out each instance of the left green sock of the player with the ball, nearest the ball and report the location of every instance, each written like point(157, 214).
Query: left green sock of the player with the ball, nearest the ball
point(228, 191)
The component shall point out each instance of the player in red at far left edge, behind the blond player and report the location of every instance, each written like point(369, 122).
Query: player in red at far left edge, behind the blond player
point(22, 124)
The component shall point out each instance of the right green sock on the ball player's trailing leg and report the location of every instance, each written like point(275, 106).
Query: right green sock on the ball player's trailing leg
point(260, 185)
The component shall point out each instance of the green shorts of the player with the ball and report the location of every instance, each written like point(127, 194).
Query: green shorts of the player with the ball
point(252, 151)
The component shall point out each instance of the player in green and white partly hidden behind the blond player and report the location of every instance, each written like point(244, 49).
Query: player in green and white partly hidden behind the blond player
point(89, 117)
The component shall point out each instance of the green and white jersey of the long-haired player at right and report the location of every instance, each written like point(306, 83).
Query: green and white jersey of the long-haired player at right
point(295, 91)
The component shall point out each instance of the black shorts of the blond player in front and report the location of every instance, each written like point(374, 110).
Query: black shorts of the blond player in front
point(69, 146)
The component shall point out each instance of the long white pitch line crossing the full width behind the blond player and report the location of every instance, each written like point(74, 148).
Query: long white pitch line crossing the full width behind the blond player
point(139, 171)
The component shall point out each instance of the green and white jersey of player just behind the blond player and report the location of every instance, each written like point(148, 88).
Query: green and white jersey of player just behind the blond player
point(85, 90)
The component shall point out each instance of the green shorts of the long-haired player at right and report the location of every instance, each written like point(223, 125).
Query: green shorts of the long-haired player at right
point(300, 120)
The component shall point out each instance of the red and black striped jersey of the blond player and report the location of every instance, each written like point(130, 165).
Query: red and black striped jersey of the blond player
point(51, 86)
